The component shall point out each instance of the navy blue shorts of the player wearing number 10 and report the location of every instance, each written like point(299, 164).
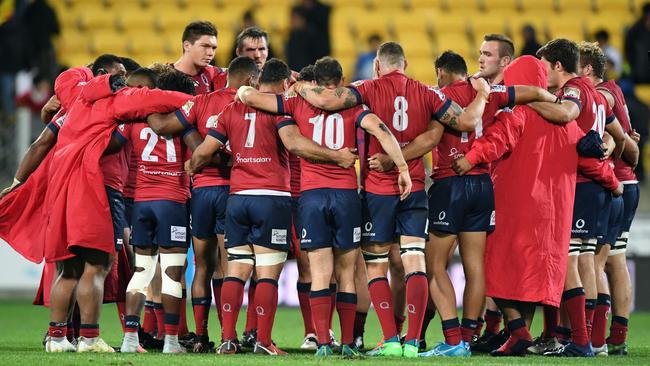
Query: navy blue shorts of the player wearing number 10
point(330, 218)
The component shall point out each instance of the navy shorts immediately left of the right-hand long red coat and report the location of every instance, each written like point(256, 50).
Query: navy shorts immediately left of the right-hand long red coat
point(462, 204)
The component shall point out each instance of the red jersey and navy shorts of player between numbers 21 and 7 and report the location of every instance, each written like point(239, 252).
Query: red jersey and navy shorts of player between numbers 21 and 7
point(210, 186)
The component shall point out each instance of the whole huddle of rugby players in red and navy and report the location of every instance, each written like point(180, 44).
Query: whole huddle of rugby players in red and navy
point(255, 164)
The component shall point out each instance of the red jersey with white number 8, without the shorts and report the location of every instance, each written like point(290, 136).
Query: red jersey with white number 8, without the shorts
point(407, 107)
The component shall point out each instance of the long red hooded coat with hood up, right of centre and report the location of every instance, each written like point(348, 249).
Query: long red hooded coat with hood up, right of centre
point(534, 189)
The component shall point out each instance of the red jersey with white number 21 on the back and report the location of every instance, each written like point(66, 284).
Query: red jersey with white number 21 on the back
point(160, 162)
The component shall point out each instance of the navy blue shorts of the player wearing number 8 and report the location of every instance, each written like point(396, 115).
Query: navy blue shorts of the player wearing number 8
point(385, 217)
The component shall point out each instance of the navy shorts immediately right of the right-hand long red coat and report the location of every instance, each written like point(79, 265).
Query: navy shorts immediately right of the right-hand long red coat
point(591, 199)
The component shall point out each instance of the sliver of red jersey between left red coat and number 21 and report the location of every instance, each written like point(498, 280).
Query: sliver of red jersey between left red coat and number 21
point(115, 167)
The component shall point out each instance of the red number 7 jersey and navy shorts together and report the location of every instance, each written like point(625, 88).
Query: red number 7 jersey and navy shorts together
point(259, 208)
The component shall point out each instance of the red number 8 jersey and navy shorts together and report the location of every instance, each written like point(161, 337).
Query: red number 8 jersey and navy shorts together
point(407, 107)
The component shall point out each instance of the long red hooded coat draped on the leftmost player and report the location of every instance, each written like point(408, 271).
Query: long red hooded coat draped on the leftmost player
point(76, 208)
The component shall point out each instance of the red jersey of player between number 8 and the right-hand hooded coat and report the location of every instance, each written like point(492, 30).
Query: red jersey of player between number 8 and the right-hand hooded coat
point(454, 144)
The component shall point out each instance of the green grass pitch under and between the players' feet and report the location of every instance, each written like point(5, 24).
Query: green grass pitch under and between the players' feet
point(24, 326)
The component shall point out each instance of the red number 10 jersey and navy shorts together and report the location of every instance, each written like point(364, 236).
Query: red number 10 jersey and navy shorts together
point(329, 207)
